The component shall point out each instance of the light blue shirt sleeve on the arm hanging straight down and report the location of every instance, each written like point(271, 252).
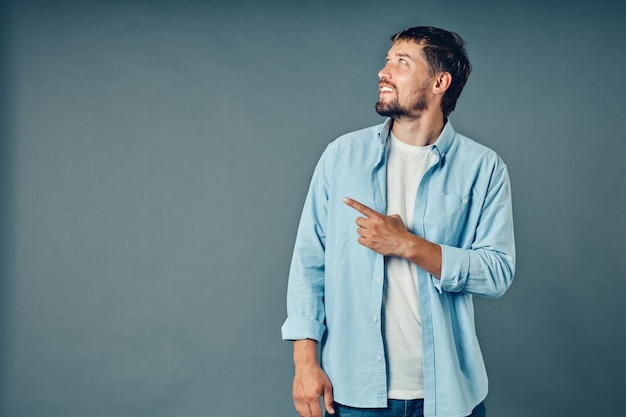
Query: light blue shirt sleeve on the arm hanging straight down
point(305, 290)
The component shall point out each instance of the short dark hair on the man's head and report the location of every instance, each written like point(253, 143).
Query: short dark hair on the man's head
point(444, 52)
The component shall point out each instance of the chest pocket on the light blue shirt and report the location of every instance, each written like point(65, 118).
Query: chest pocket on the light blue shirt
point(446, 219)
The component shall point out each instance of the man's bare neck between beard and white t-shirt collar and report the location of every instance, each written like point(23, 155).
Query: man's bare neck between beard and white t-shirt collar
point(422, 131)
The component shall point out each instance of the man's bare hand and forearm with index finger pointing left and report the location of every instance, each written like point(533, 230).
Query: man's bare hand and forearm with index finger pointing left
point(389, 236)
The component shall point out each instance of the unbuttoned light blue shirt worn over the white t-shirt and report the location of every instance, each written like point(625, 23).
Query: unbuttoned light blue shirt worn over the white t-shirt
point(335, 289)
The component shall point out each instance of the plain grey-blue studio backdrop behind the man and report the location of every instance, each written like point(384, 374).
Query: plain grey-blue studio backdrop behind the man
point(155, 157)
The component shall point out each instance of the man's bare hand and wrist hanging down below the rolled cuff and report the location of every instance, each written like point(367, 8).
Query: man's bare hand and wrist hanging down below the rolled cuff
point(310, 383)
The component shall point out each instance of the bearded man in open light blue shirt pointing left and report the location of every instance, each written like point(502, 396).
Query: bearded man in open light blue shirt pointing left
point(391, 306)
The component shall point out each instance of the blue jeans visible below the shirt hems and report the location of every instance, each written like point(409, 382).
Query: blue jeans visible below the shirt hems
point(395, 408)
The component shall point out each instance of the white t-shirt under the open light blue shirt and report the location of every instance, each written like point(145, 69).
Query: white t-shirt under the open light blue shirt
point(402, 323)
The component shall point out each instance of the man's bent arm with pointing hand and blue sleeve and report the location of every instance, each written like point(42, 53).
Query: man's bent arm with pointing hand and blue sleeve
point(486, 269)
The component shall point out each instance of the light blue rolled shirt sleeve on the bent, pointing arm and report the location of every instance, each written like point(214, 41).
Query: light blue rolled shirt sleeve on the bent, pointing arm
point(487, 268)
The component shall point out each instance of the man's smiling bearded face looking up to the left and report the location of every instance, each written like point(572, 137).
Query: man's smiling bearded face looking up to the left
point(405, 82)
